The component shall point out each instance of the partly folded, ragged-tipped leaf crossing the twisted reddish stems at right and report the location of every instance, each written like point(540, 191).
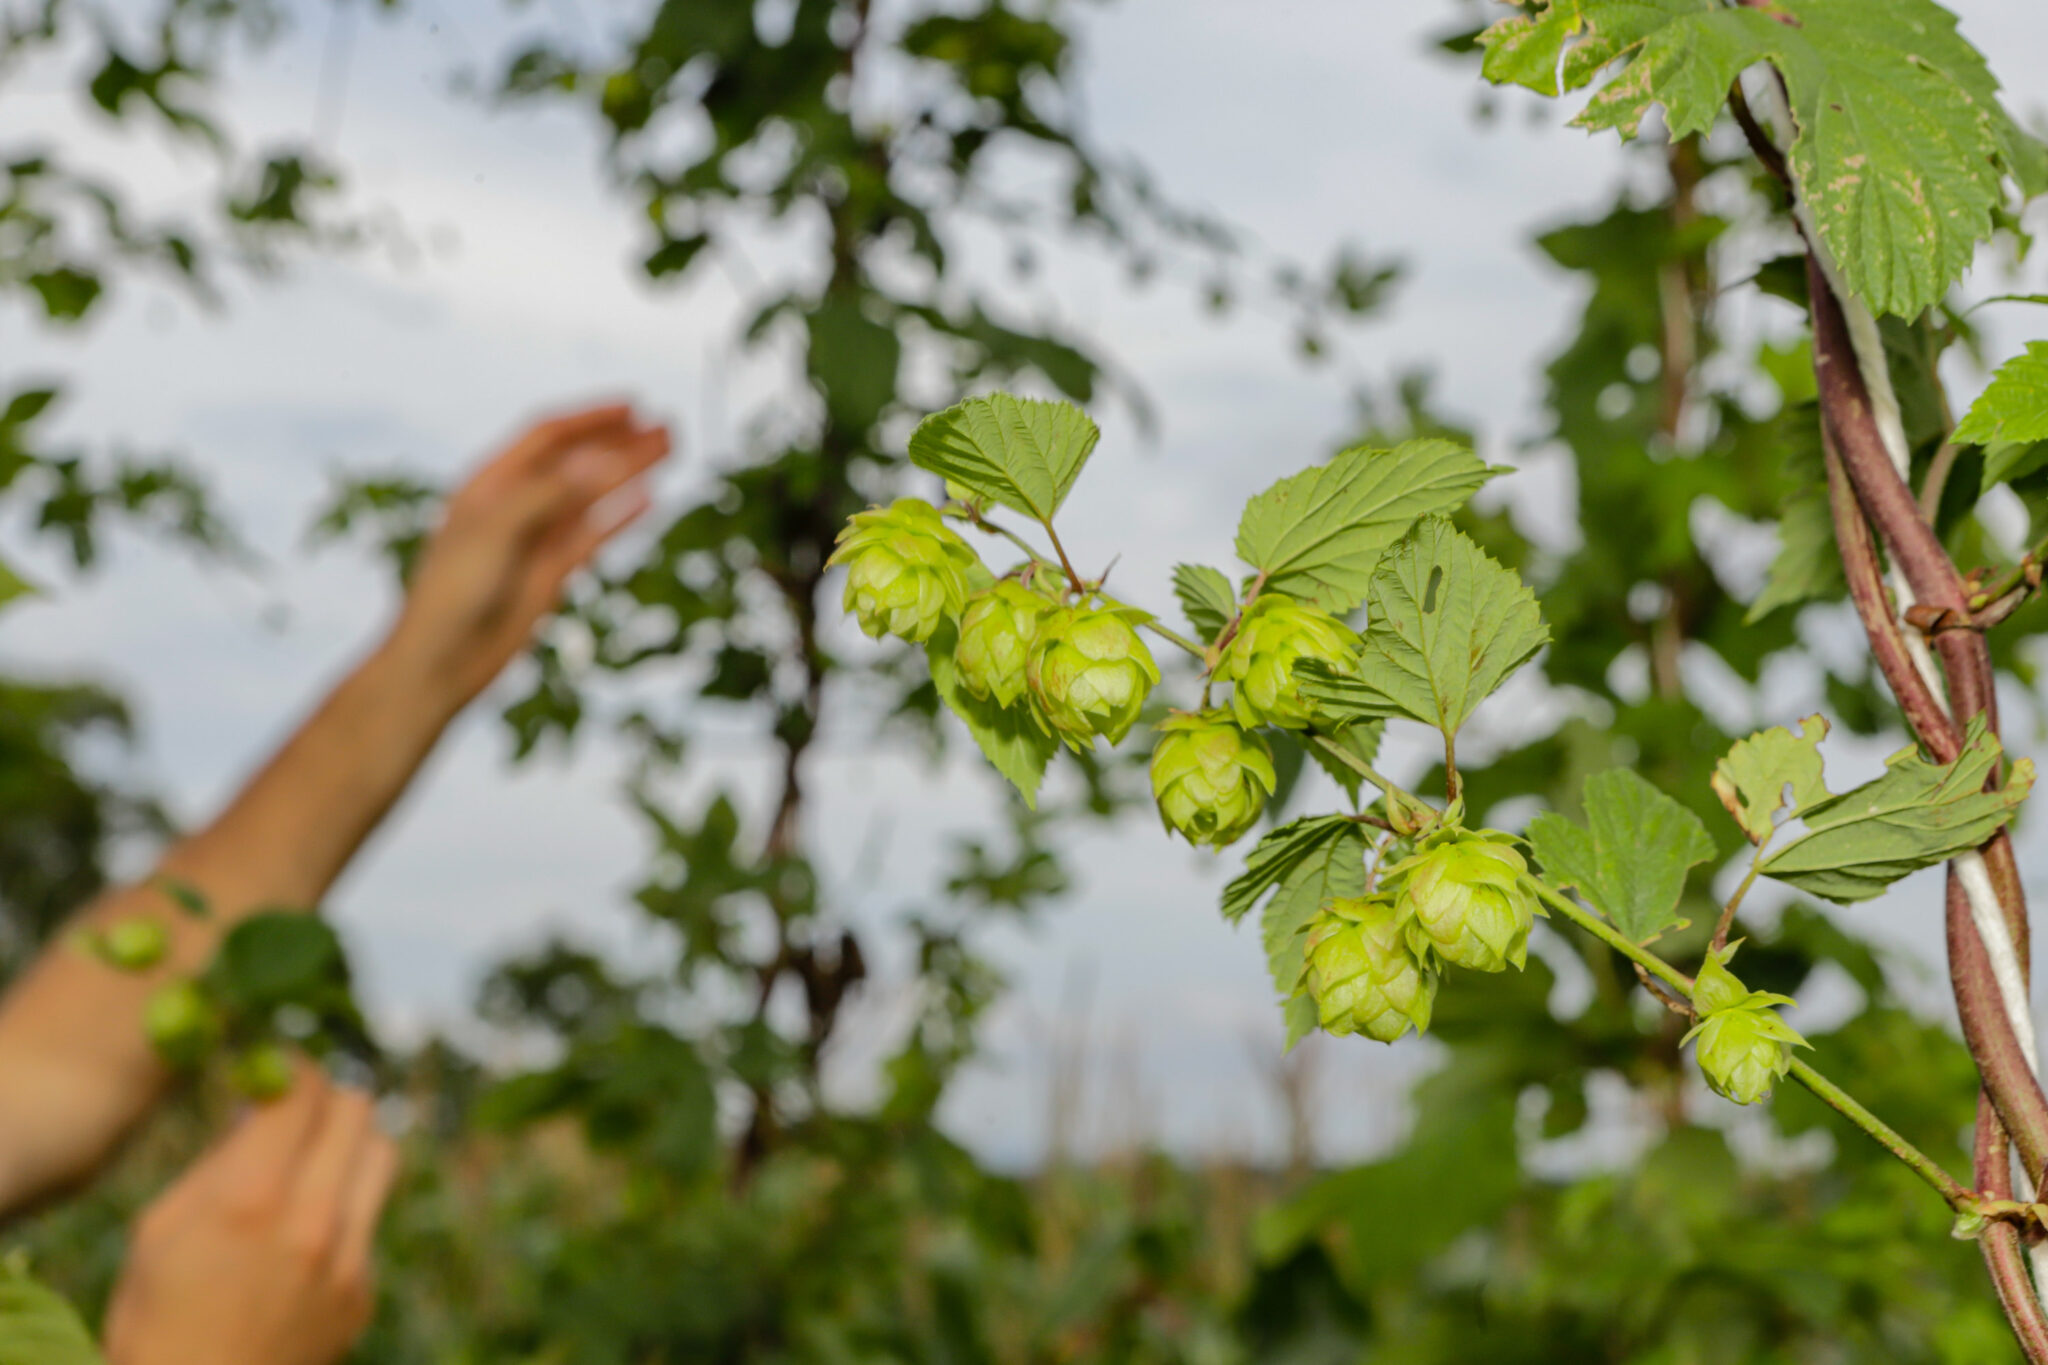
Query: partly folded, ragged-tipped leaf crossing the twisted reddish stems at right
point(1912, 818)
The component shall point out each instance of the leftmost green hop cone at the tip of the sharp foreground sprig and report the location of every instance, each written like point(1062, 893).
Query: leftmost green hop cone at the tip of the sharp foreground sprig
point(906, 570)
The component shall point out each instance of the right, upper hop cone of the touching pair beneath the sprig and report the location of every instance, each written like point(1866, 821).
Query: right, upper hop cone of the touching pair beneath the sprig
point(1465, 897)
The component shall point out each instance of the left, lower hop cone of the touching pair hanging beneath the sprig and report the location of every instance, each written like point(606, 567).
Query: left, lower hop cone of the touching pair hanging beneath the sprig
point(1363, 975)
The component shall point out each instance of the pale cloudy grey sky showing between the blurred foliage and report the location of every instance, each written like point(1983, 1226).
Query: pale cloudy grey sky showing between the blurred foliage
point(1306, 122)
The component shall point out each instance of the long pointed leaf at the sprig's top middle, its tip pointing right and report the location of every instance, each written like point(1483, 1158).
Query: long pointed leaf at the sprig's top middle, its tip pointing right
point(1318, 535)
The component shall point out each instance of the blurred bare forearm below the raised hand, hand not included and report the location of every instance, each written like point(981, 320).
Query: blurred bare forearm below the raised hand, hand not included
point(81, 1071)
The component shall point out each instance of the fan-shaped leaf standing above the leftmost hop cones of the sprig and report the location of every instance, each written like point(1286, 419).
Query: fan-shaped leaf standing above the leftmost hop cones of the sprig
point(1023, 453)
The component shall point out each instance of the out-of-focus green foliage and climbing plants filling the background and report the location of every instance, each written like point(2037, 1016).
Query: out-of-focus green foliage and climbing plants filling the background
point(685, 1192)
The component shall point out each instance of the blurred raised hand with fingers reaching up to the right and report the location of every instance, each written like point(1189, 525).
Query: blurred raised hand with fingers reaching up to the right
point(513, 537)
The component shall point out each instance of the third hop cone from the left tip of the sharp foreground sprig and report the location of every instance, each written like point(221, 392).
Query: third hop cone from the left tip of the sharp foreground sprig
point(1091, 674)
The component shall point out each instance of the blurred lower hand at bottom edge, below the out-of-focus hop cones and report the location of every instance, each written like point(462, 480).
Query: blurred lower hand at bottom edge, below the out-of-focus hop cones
point(261, 1253)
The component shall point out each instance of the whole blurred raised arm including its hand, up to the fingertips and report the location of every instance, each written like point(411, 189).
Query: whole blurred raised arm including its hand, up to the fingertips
point(77, 1067)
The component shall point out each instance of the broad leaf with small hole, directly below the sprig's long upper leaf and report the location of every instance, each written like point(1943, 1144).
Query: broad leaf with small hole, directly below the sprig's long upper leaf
point(1445, 627)
